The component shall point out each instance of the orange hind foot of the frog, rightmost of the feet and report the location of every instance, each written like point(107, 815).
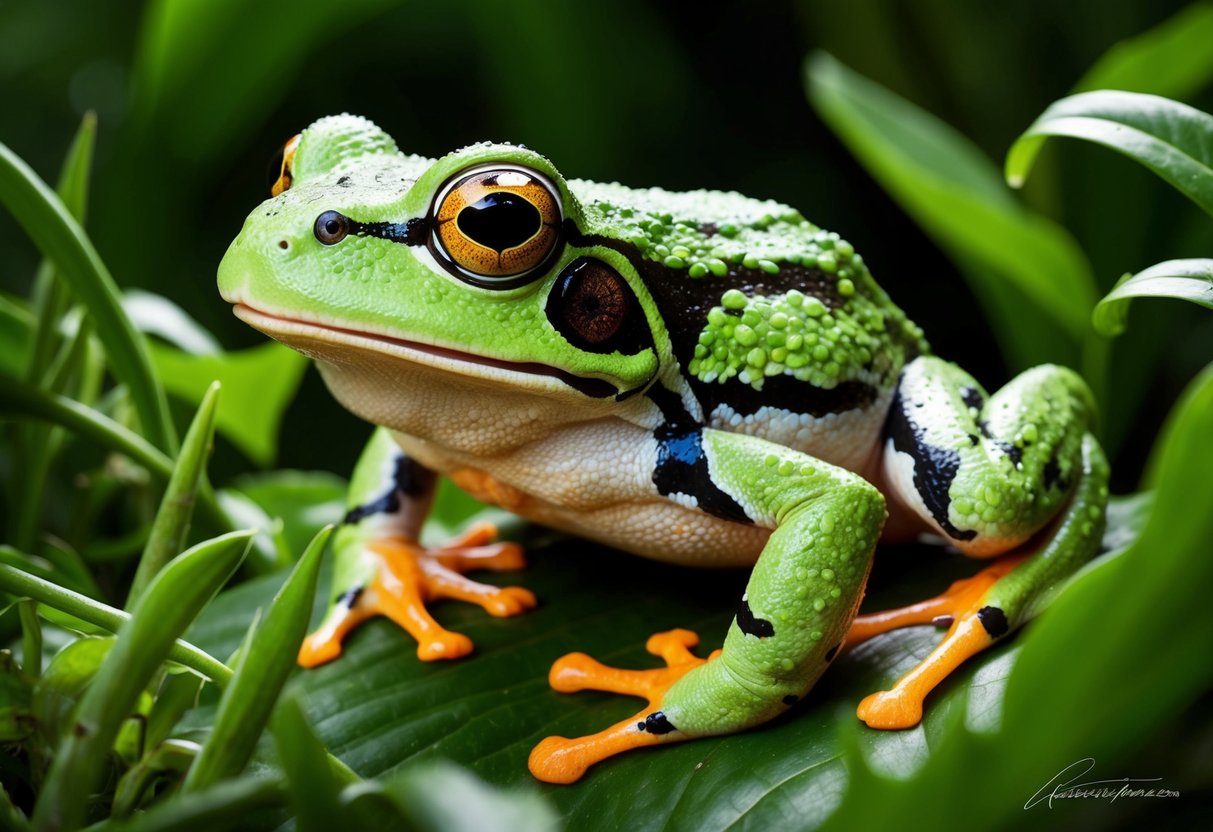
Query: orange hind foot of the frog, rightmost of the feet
point(961, 608)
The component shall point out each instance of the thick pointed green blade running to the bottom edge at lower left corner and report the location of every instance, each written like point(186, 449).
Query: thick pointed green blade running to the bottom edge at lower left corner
point(169, 606)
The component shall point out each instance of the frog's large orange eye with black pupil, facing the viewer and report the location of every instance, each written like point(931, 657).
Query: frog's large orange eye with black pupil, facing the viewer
point(497, 225)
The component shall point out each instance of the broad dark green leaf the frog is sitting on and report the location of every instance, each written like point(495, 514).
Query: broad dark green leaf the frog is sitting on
point(380, 709)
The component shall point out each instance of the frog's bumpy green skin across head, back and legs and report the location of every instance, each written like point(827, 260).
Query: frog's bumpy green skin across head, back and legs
point(1023, 458)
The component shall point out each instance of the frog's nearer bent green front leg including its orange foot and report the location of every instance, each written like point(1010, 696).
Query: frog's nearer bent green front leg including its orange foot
point(800, 601)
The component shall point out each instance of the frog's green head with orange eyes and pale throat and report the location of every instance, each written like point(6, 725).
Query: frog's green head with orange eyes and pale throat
point(425, 287)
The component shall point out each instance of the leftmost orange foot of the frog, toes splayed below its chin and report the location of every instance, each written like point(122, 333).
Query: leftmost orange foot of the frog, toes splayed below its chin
point(411, 575)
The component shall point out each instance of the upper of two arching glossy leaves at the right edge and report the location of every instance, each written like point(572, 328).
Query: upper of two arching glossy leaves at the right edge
point(1174, 140)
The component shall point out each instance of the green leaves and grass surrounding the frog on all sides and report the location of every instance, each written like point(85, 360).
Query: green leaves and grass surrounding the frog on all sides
point(149, 681)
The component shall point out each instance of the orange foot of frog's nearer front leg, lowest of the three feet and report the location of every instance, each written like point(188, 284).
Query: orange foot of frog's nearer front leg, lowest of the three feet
point(562, 761)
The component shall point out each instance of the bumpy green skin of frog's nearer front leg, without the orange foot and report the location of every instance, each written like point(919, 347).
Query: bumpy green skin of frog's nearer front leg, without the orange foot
point(807, 585)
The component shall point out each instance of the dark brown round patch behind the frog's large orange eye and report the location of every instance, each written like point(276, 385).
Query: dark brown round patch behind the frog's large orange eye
point(595, 310)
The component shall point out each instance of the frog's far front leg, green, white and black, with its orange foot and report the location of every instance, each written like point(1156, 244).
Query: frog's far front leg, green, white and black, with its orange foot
point(383, 571)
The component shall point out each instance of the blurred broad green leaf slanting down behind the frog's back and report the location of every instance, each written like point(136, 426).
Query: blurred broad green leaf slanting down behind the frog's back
point(942, 180)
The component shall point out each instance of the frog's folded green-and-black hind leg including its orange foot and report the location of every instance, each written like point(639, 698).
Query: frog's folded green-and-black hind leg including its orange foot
point(988, 476)
